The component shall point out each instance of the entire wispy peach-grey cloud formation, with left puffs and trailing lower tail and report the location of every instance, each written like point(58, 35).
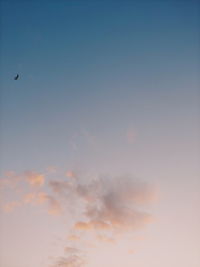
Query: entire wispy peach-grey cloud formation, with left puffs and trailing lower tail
point(102, 206)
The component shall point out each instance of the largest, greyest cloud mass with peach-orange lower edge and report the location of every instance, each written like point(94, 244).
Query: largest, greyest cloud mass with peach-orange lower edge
point(113, 203)
